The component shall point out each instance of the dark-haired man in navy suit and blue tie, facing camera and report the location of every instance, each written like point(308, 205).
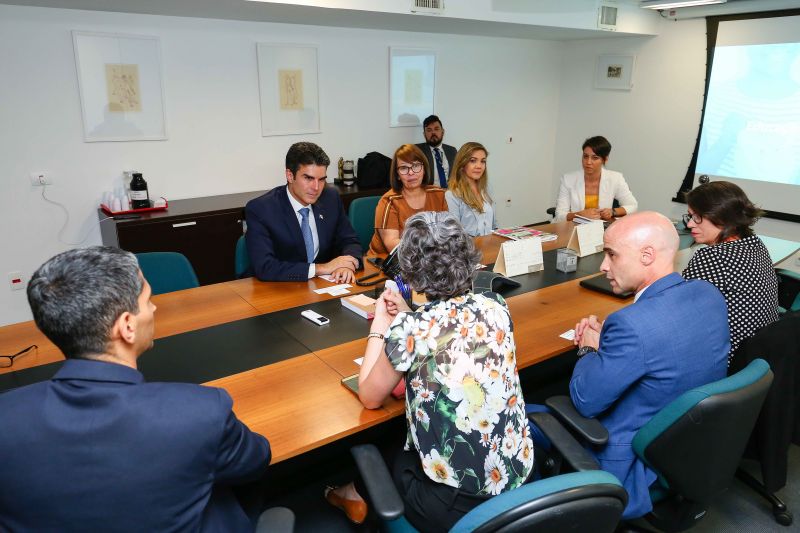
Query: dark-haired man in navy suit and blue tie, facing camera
point(301, 230)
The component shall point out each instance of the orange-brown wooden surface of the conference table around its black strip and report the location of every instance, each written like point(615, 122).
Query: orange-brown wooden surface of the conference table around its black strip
point(299, 403)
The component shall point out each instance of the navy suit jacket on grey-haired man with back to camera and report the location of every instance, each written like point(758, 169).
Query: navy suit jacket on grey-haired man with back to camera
point(98, 449)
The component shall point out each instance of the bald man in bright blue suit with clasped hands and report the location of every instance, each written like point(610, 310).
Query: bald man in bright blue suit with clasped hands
point(674, 337)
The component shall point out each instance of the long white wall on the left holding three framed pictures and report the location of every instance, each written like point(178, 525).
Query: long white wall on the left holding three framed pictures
point(488, 89)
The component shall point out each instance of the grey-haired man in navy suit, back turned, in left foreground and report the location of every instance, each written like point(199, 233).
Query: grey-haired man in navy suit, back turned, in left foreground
point(98, 449)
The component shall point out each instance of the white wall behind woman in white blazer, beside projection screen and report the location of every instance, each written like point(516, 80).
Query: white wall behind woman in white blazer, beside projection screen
point(653, 127)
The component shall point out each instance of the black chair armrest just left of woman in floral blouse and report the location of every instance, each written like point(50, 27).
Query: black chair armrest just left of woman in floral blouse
point(383, 495)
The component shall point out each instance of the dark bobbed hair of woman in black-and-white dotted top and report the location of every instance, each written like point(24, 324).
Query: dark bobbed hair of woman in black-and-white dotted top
point(726, 205)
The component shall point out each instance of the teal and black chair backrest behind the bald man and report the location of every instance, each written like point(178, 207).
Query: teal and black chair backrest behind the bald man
point(696, 442)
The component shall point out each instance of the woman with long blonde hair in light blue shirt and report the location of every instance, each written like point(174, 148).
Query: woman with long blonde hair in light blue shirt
point(467, 194)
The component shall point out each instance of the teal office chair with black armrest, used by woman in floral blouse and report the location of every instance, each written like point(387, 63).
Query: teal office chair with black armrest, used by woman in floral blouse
point(579, 501)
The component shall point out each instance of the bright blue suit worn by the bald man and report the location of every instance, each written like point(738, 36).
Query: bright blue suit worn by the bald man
point(674, 338)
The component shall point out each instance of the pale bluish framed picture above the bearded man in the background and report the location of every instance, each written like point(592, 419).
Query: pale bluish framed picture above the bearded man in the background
point(412, 85)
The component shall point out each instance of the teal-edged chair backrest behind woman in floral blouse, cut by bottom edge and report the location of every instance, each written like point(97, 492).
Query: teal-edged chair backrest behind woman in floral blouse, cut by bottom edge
point(579, 501)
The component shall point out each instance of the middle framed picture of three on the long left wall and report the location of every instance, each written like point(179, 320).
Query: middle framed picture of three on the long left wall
point(288, 88)
